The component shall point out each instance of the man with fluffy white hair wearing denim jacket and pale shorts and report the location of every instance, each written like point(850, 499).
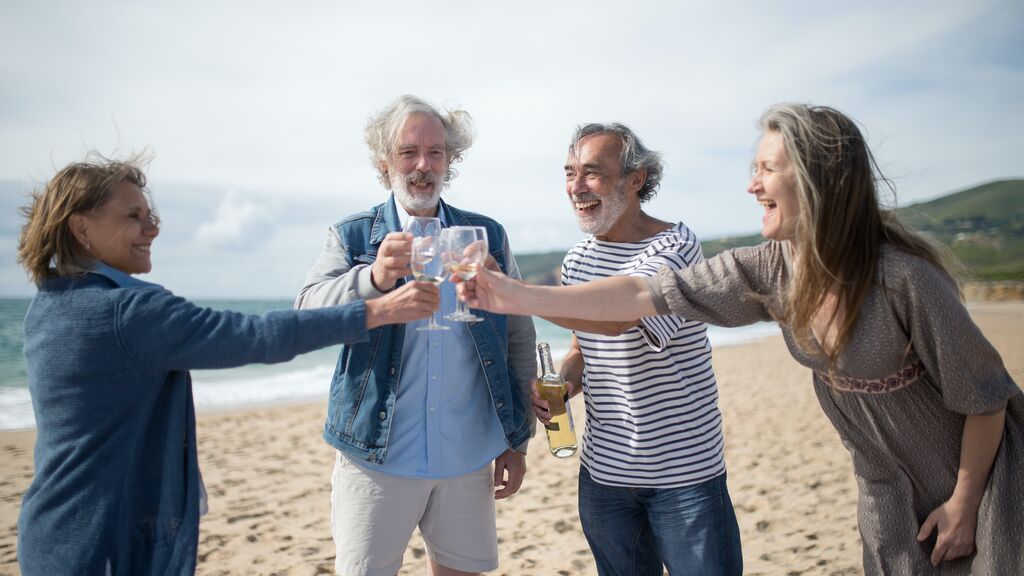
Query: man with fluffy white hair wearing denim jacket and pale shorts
point(426, 424)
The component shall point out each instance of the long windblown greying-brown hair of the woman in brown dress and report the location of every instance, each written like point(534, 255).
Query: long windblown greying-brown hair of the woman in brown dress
point(842, 228)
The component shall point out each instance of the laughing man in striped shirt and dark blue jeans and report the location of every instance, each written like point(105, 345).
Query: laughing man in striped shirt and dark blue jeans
point(653, 488)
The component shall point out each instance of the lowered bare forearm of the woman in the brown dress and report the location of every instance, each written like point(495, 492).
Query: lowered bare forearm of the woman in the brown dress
point(983, 434)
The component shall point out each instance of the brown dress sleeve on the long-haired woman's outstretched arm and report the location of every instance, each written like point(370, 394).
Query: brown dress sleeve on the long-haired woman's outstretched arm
point(731, 290)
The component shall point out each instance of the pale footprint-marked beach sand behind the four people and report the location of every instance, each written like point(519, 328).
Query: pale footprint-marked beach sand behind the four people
point(268, 473)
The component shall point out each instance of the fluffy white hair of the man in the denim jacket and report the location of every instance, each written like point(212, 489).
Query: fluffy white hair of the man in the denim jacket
point(382, 133)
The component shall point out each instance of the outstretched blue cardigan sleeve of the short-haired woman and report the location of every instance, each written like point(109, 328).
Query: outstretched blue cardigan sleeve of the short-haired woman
point(160, 331)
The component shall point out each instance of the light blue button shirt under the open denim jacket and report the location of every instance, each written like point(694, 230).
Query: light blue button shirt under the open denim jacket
point(445, 422)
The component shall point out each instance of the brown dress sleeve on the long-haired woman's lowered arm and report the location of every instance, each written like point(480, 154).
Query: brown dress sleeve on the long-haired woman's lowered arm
point(957, 356)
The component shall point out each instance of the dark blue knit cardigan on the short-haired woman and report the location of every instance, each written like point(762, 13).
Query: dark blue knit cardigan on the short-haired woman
point(117, 486)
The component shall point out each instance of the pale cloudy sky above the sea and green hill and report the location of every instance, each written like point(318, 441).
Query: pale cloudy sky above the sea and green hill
point(253, 112)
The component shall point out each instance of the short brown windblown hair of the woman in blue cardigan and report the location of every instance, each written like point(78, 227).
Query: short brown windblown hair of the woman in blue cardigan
point(47, 246)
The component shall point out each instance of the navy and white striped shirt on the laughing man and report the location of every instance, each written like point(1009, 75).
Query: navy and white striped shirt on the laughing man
point(653, 418)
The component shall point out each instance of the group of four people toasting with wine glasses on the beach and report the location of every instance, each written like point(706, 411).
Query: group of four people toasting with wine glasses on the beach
point(431, 428)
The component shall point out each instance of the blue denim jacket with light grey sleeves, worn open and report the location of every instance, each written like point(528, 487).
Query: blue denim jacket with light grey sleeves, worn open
point(365, 385)
